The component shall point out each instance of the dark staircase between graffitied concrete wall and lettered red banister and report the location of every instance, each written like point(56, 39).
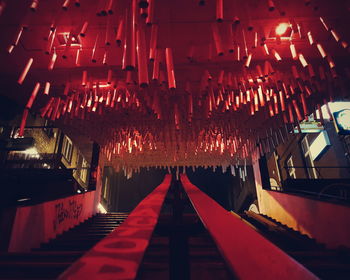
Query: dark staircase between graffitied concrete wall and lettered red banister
point(52, 258)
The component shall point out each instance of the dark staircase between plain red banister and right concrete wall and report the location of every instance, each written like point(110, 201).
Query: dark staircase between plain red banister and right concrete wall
point(323, 262)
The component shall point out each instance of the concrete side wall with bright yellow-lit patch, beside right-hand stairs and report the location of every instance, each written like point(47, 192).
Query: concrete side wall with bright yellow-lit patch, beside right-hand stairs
point(328, 223)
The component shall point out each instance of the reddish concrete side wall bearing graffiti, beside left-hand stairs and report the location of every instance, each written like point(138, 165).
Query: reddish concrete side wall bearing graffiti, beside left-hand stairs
point(39, 223)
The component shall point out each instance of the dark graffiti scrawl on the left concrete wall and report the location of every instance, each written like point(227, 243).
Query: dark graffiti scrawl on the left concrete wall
point(65, 210)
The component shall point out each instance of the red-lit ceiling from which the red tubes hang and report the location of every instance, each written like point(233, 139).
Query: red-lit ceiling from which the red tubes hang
point(182, 24)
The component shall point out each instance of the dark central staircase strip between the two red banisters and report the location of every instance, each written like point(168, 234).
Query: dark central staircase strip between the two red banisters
point(182, 249)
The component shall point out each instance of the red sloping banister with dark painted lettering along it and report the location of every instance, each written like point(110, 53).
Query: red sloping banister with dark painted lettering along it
point(119, 255)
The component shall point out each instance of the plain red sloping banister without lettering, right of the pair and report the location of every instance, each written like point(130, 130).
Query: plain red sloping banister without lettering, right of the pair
point(248, 254)
